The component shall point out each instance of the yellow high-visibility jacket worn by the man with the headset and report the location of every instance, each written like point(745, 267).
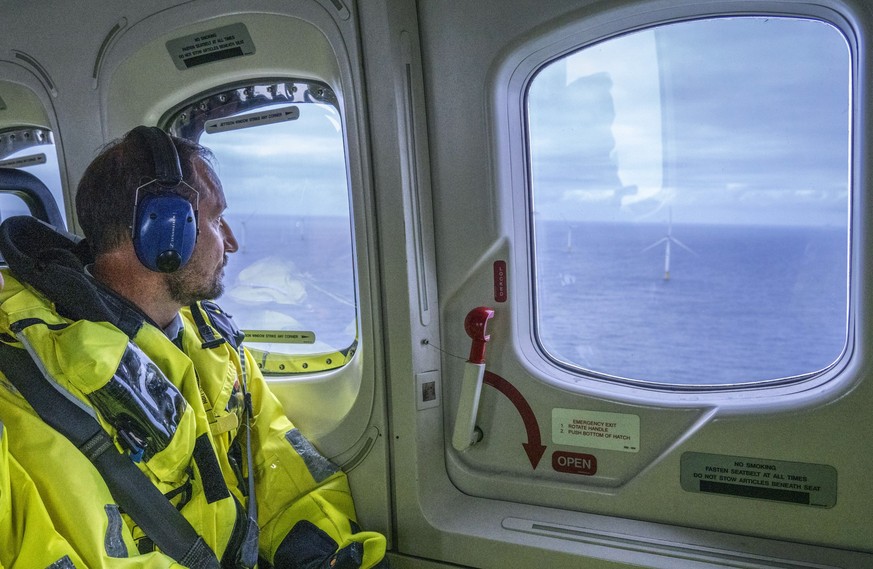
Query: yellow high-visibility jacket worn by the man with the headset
point(194, 394)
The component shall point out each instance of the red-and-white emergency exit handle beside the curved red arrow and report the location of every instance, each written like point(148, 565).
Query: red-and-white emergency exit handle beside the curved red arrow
point(471, 387)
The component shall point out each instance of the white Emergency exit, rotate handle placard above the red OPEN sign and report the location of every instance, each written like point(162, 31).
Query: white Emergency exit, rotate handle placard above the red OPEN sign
point(596, 429)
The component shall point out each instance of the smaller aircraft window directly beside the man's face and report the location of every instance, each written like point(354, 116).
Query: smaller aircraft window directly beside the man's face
point(281, 159)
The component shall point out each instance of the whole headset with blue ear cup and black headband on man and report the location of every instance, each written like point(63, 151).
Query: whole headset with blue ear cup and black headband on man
point(164, 229)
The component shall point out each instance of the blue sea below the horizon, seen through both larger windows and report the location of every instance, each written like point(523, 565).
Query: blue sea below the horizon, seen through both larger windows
point(742, 304)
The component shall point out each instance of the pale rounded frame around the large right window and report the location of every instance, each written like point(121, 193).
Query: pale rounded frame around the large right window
point(509, 91)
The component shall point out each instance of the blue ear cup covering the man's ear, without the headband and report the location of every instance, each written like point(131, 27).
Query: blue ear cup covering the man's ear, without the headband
point(165, 231)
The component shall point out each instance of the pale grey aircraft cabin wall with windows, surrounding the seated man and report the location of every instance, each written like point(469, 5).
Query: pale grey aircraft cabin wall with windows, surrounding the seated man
point(557, 283)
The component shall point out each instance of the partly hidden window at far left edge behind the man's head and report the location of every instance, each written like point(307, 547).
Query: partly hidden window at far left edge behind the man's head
point(32, 150)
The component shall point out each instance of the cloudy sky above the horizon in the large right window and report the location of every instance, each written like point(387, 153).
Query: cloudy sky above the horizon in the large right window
point(730, 120)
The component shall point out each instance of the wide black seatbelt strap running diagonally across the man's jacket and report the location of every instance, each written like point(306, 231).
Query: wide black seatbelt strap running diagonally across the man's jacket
point(135, 493)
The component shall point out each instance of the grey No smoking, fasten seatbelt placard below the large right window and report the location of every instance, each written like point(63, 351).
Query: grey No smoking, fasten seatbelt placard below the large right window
point(777, 480)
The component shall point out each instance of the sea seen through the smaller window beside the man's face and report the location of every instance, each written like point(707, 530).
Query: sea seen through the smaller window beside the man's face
point(293, 273)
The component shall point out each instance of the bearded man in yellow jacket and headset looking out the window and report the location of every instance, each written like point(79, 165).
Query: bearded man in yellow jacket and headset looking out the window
point(162, 370)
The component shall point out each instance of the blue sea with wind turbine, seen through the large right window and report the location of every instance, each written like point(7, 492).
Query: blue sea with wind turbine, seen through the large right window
point(741, 304)
